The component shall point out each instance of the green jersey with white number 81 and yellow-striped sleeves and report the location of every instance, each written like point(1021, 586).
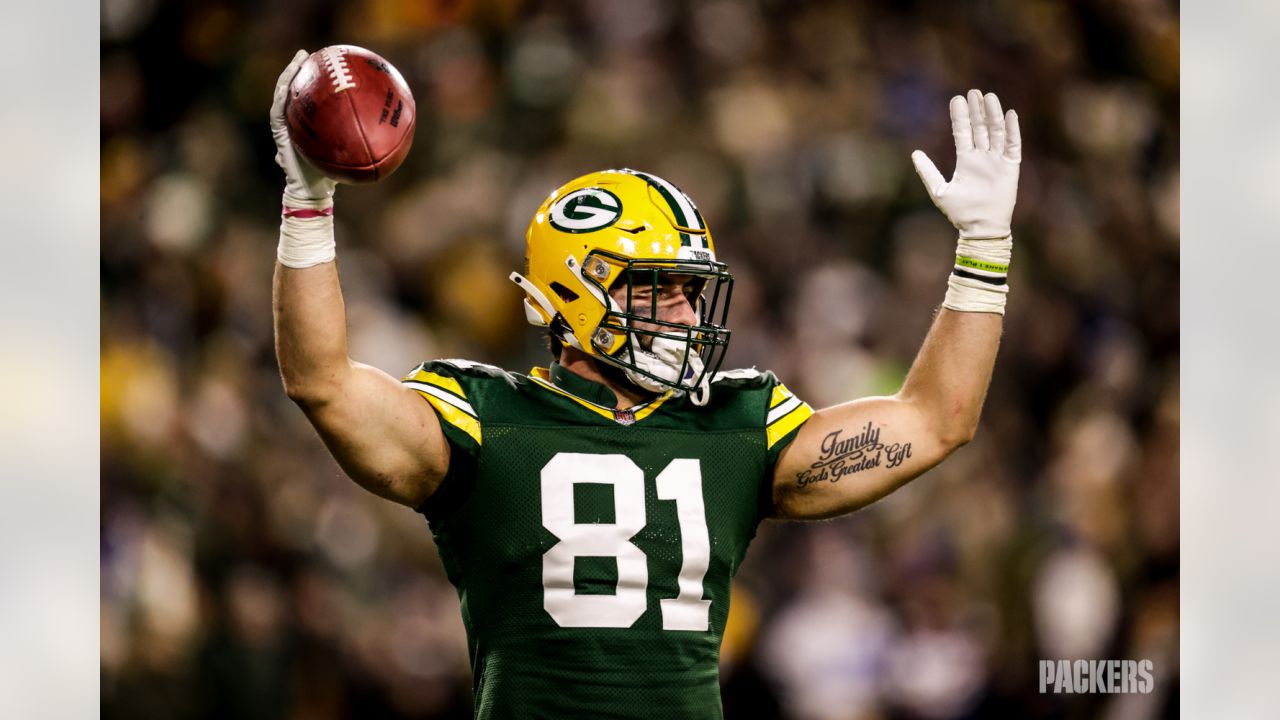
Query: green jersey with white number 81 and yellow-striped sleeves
point(593, 550)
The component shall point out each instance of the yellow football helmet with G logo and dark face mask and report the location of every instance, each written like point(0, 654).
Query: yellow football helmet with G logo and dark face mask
point(627, 226)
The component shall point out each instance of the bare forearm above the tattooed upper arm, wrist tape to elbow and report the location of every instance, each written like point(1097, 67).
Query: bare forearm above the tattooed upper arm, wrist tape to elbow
point(949, 380)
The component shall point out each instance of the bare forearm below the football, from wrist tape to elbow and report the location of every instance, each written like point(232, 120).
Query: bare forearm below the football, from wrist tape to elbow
point(310, 331)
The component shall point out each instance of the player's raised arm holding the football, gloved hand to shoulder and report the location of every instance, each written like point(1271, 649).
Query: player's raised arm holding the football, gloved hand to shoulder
point(382, 434)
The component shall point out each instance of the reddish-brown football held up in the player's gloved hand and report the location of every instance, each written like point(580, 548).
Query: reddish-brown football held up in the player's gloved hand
point(351, 115)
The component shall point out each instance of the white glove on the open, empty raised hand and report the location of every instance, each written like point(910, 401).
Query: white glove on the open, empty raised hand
point(980, 199)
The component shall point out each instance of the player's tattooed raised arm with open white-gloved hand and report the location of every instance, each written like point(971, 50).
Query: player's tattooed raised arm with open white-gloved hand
point(851, 455)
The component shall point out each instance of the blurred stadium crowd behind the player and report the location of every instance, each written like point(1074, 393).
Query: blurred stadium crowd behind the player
point(244, 577)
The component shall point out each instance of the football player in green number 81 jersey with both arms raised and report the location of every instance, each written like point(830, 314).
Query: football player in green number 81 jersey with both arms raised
point(592, 514)
